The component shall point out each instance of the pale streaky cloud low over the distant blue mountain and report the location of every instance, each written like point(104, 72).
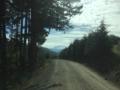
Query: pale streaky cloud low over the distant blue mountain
point(64, 39)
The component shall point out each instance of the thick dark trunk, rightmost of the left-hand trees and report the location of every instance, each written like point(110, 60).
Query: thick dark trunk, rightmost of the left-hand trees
point(33, 36)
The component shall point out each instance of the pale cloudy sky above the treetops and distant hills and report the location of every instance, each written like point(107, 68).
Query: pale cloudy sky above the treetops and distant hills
point(92, 13)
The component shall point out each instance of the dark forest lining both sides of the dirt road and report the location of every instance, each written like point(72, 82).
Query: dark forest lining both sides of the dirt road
point(24, 28)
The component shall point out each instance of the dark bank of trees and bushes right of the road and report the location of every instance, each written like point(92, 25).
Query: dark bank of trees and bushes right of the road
point(98, 50)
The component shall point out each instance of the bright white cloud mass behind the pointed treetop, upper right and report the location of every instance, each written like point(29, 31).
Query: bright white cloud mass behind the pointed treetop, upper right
point(96, 10)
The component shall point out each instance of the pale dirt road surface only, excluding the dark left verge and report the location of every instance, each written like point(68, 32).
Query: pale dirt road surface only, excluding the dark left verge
point(73, 76)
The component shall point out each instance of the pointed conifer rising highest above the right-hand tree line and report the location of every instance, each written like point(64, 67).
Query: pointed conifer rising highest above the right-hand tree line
point(98, 43)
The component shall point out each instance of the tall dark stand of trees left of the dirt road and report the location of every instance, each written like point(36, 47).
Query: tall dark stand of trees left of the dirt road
point(24, 26)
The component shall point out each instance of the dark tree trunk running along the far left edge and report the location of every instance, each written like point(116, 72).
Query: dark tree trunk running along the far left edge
point(3, 57)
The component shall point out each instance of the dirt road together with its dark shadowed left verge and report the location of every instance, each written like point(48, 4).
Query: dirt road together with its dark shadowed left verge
point(66, 75)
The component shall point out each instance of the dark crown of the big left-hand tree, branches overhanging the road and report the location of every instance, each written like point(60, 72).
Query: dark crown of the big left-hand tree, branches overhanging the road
point(53, 14)
